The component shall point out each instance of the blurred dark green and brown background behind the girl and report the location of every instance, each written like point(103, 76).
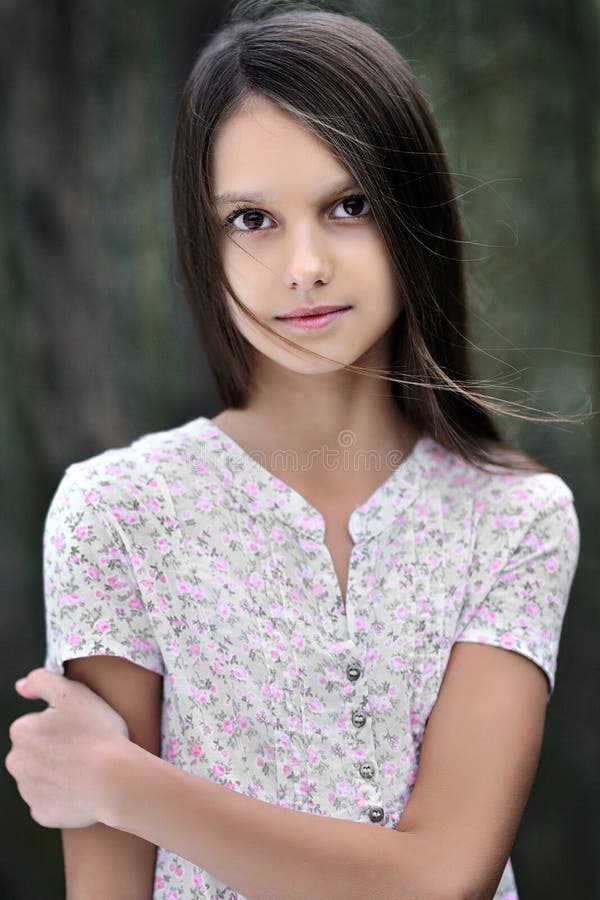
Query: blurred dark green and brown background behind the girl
point(97, 347)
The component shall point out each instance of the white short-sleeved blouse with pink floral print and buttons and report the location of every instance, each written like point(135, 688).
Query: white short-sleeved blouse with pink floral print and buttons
point(183, 554)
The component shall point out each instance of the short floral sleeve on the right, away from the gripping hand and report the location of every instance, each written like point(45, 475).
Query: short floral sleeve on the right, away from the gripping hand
point(524, 608)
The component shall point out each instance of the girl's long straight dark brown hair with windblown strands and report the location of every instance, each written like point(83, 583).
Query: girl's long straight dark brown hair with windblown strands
point(346, 83)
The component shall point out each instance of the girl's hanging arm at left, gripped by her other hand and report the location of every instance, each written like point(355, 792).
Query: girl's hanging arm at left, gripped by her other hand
point(95, 854)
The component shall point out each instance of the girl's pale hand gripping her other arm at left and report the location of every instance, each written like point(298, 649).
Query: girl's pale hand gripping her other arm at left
point(58, 756)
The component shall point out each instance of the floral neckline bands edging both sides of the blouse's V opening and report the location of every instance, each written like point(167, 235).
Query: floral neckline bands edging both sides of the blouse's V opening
point(278, 497)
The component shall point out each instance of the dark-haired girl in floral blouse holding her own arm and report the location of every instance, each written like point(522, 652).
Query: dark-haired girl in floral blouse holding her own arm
point(343, 596)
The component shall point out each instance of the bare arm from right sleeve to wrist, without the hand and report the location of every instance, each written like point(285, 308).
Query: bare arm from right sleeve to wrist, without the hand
point(479, 757)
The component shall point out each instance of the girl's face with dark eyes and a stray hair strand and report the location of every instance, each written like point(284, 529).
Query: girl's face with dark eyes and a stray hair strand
point(300, 234)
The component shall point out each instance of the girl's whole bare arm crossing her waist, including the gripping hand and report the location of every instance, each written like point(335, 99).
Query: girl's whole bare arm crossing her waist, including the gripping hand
point(479, 756)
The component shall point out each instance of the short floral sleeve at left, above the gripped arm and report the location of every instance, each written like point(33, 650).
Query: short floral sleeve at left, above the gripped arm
point(94, 606)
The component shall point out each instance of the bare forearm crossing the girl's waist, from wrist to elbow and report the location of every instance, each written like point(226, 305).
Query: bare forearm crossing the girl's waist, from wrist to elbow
point(264, 851)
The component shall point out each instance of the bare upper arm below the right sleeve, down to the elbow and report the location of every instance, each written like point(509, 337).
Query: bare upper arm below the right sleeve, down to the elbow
point(478, 760)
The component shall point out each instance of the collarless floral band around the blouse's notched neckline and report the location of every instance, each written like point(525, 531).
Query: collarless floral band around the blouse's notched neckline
point(269, 495)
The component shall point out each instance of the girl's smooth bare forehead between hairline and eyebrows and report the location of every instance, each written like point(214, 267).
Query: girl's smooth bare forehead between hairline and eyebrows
point(265, 149)
